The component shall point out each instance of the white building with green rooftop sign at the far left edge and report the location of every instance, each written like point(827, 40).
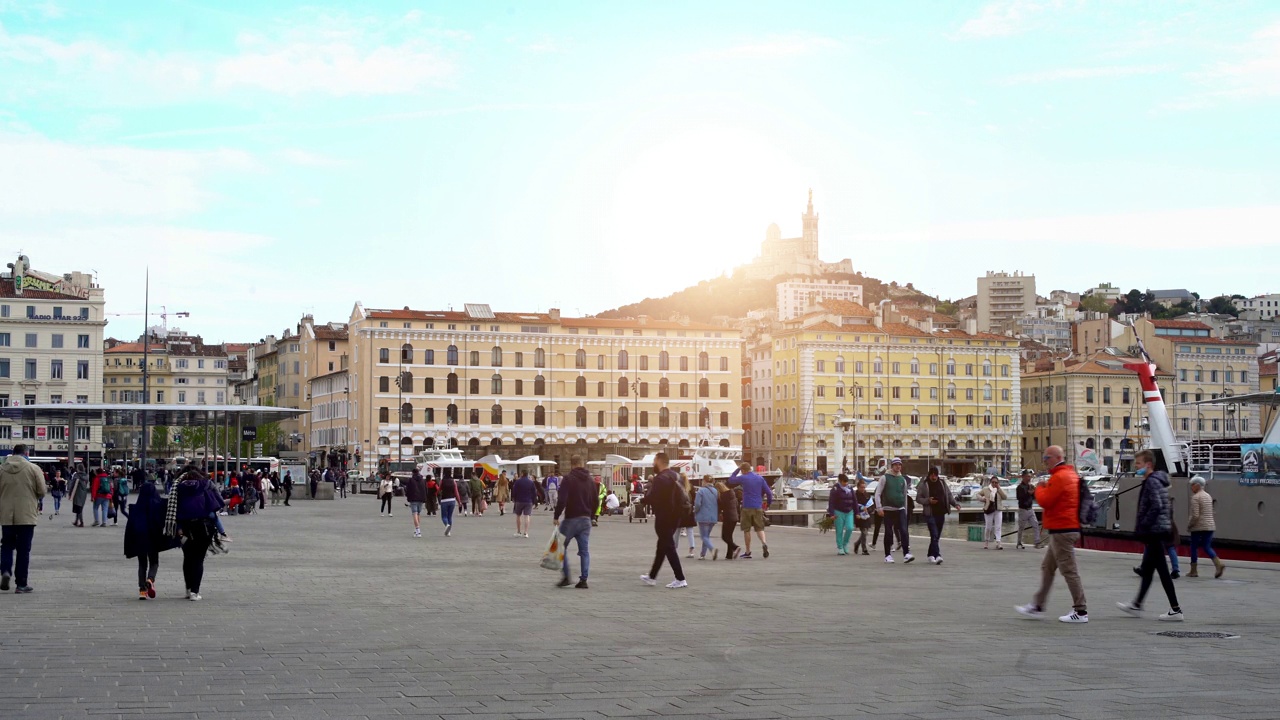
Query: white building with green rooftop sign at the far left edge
point(51, 353)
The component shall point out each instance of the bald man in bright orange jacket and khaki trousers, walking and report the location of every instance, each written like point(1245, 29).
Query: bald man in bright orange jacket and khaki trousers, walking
point(1060, 499)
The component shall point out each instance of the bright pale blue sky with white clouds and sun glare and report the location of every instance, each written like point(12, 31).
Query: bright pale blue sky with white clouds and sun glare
point(267, 160)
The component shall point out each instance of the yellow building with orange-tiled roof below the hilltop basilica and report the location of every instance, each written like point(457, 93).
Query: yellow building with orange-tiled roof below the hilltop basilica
point(941, 398)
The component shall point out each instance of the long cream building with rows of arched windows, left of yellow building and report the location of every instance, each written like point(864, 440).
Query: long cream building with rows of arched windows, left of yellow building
point(524, 384)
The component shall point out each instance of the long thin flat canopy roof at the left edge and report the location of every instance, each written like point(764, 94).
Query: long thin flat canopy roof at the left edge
point(132, 414)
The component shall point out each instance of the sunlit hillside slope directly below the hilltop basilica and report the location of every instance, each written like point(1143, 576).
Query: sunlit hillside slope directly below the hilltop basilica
point(737, 297)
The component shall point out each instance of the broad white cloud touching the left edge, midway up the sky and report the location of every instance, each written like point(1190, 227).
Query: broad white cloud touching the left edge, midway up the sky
point(48, 177)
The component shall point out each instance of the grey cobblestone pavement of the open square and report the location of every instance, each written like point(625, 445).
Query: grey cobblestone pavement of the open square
point(328, 610)
